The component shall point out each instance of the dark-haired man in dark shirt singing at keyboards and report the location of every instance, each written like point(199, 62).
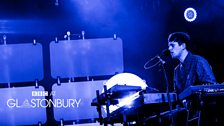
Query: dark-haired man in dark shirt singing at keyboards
point(192, 69)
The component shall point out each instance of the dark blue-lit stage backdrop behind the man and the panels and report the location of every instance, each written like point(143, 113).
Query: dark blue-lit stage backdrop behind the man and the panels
point(143, 25)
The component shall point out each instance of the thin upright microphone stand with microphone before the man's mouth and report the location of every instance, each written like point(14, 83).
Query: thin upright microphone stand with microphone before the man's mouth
point(167, 89)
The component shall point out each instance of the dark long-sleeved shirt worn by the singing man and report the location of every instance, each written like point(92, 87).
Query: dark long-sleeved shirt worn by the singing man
point(195, 70)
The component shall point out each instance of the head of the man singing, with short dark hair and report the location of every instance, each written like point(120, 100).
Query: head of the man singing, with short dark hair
point(178, 43)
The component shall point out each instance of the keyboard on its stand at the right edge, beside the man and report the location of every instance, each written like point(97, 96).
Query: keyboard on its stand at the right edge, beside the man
point(200, 96)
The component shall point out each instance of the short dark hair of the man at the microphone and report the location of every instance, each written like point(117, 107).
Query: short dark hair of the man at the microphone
point(180, 37)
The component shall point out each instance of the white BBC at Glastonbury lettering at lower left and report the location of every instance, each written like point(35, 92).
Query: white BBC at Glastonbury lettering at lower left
point(43, 102)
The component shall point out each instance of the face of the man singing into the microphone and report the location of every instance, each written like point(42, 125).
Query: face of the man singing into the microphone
point(175, 49)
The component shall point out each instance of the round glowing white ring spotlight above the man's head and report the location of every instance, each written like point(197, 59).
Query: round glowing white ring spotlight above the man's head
point(190, 14)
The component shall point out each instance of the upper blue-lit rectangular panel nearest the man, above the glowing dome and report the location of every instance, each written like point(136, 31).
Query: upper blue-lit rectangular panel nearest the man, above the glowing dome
point(88, 57)
